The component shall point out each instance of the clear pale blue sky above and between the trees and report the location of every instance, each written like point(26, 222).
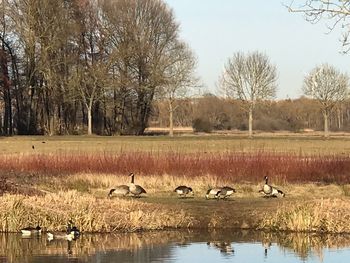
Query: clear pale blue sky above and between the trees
point(216, 29)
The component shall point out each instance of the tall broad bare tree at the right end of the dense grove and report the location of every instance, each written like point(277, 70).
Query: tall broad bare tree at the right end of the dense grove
point(143, 36)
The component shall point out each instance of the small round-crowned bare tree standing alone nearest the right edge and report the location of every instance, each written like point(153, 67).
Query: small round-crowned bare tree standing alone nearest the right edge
point(327, 85)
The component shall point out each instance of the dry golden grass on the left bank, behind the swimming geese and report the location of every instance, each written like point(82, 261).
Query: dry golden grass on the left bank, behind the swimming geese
point(89, 213)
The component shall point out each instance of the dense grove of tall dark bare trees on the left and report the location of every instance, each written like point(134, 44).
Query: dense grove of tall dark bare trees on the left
point(70, 66)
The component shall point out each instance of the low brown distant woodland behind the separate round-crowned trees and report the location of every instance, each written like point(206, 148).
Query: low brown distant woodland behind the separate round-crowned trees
point(209, 113)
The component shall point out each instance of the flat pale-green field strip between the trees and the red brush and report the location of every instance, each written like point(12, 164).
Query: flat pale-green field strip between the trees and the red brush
point(313, 143)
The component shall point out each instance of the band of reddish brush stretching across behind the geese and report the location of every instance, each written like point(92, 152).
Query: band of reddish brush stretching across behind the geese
point(235, 167)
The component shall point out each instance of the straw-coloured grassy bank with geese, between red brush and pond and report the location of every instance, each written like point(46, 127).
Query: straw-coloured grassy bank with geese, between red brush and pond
point(88, 206)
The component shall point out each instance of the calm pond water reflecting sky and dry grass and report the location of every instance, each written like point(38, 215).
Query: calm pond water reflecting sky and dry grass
point(178, 246)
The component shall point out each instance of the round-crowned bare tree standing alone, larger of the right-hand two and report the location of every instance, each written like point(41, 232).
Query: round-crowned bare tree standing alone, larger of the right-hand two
point(249, 78)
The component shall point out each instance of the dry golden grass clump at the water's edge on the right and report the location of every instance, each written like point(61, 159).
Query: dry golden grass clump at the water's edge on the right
point(327, 215)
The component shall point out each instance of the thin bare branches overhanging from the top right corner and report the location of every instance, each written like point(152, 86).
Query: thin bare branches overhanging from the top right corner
point(336, 12)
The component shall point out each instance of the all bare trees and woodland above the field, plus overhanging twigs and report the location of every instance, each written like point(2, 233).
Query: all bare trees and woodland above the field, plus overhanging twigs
point(116, 66)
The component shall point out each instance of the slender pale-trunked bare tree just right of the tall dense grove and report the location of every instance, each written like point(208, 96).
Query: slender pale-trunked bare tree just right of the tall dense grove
point(179, 78)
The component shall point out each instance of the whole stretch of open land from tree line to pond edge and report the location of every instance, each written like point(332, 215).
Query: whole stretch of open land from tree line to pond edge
point(74, 175)
